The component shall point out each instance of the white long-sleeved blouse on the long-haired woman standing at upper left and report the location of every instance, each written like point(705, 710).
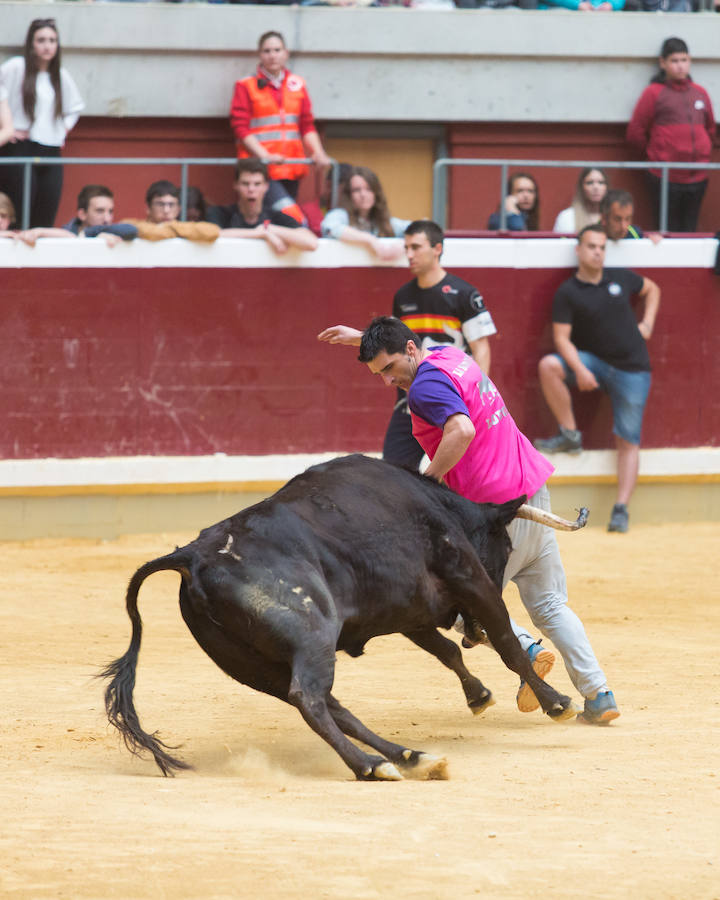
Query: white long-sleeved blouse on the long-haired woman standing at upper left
point(46, 128)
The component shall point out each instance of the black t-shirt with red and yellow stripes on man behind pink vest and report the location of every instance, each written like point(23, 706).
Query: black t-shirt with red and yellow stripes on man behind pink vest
point(450, 312)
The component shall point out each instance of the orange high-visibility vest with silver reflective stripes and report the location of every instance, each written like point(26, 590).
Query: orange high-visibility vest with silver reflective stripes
point(277, 127)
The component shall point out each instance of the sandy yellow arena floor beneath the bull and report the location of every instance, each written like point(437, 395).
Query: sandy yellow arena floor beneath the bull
point(532, 809)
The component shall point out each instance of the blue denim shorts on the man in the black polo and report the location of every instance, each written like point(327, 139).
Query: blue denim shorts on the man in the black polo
point(628, 393)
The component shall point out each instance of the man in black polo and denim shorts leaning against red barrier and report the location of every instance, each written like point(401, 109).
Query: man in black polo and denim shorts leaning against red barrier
point(601, 345)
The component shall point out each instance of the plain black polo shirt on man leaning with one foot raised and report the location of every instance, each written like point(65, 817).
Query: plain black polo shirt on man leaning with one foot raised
point(602, 318)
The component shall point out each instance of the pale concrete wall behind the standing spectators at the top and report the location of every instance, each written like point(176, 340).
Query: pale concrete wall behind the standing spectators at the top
point(392, 64)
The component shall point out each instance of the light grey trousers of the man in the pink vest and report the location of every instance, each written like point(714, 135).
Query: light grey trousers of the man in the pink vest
point(536, 568)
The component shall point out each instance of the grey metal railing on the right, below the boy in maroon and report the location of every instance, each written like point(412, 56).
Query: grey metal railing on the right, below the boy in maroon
point(440, 192)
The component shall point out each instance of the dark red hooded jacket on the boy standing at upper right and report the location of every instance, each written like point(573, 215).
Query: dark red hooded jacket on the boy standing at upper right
point(673, 122)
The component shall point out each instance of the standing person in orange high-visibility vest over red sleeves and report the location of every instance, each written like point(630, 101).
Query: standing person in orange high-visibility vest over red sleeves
point(271, 116)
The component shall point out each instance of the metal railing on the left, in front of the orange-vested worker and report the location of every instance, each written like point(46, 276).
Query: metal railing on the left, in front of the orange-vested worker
point(27, 162)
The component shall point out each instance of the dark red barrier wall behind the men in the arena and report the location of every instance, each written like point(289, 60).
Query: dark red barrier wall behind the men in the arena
point(169, 361)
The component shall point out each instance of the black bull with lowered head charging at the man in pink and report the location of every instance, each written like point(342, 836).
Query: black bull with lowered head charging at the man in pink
point(348, 550)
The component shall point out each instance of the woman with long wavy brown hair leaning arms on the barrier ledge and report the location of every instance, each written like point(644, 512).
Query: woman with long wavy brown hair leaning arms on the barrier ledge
point(363, 216)
